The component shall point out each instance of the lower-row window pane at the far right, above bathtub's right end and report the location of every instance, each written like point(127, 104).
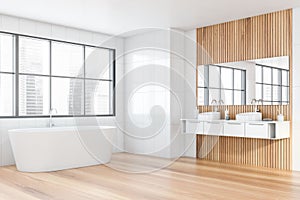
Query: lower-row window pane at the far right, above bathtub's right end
point(98, 97)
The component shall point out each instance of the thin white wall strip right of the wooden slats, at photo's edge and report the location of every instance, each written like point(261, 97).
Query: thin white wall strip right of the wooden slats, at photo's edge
point(296, 90)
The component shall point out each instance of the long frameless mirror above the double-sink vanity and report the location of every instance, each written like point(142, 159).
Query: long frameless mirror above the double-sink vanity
point(238, 83)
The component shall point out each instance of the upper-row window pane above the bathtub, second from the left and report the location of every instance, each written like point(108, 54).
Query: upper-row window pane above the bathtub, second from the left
point(34, 56)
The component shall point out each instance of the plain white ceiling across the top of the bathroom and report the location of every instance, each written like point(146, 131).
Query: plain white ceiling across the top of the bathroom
point(119, 16)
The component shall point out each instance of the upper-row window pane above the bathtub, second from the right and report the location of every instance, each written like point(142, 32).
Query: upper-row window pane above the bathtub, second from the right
point(67, 59)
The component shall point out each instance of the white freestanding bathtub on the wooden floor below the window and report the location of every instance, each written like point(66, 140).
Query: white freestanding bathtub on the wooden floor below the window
point(58, 148)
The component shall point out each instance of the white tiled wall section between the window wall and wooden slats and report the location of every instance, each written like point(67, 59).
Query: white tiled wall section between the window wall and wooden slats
point(160, 55)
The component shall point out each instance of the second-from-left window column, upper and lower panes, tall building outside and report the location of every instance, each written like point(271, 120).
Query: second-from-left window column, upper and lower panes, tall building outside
point(34, 64)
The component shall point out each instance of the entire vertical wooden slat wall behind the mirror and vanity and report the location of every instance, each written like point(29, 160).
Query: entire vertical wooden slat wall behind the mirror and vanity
point(263, 36)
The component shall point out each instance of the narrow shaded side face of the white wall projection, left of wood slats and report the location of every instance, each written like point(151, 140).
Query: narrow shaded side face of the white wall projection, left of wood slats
point(177, 85)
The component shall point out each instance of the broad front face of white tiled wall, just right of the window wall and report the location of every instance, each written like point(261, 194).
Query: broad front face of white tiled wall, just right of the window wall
point(147, 60)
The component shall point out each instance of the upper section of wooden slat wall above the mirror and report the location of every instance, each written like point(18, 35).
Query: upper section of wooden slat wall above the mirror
point(246, 39)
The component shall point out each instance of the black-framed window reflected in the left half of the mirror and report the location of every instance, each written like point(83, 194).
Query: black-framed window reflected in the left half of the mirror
point(221, 83)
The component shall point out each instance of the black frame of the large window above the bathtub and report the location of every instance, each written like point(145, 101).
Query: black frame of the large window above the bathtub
point(16, 76)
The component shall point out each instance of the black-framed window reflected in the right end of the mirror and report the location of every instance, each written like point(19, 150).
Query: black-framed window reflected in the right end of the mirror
point(272, 85)
